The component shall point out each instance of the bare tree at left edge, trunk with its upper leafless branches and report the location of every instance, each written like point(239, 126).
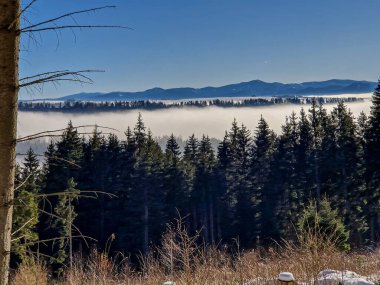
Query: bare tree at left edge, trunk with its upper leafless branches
point(10, 32)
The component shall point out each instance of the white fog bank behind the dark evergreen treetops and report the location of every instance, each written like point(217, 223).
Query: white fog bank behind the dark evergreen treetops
point(183, 122)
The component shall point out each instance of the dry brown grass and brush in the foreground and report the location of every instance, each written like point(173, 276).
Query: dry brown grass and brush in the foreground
point(182, 260)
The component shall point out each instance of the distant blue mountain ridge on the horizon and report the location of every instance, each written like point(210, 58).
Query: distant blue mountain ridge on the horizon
point(244, 89)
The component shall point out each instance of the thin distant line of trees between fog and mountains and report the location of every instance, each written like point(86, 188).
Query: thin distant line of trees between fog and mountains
point(88, 106)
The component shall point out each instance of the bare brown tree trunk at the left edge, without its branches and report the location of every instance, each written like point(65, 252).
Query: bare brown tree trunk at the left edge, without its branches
point(9, 52)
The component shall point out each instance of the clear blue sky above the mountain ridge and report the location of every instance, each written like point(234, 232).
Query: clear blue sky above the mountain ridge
point(197, 43)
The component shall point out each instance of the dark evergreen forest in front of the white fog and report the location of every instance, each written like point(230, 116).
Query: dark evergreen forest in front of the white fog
point(255, 187)
